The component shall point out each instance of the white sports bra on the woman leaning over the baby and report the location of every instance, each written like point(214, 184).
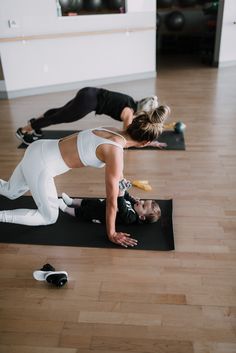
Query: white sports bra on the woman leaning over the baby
point(87, 144)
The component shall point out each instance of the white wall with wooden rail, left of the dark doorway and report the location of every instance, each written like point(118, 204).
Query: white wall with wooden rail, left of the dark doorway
point(32, 65)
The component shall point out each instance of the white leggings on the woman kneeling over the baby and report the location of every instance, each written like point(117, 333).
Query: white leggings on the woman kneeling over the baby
point(36, 171)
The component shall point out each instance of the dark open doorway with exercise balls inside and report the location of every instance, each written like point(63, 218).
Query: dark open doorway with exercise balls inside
point(186, 32)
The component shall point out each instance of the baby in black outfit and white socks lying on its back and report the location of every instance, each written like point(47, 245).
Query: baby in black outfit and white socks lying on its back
point(129, 209)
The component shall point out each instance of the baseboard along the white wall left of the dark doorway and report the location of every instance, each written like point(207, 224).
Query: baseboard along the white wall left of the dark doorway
point(74, 85)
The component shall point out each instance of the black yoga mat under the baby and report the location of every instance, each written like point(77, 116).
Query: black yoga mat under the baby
point(69, 231)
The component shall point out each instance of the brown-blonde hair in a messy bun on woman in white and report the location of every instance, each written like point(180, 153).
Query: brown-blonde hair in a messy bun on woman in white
point(147, 126)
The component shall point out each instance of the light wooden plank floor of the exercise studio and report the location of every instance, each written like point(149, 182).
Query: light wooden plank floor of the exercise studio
point(120, 301)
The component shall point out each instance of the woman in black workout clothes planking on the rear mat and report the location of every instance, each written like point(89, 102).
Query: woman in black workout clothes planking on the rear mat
point(117, 105)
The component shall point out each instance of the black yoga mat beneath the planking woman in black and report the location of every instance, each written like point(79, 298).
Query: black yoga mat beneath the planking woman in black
point(175, 141)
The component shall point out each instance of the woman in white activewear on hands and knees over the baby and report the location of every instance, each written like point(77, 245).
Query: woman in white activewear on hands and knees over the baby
point(98, 147)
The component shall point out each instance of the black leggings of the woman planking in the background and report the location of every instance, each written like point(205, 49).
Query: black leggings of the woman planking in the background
point(82, 104)
